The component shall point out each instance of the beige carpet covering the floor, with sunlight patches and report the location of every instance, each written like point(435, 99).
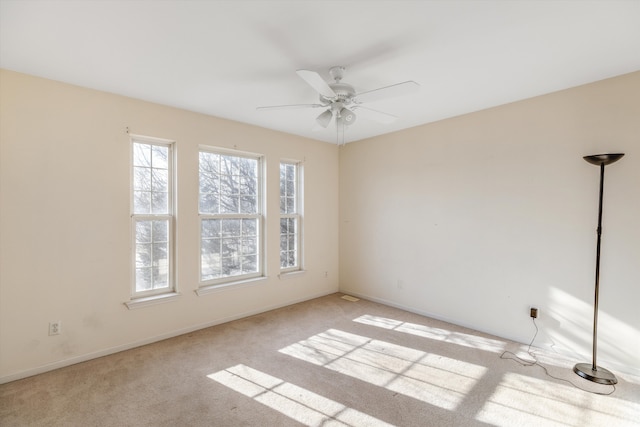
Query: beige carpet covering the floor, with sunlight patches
point(325, 362)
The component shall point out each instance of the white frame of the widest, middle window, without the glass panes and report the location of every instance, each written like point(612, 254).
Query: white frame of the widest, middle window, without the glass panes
point(217, 283)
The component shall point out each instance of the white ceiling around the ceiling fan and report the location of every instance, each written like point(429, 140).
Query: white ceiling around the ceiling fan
point(225, 58)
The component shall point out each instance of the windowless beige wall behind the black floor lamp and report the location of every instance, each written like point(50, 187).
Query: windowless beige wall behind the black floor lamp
point(477, 218)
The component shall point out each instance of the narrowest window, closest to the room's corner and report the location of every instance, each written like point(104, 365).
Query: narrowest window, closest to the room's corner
point(290, 216)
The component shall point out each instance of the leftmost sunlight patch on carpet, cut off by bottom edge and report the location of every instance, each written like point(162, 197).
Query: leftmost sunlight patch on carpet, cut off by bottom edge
point(295, 402)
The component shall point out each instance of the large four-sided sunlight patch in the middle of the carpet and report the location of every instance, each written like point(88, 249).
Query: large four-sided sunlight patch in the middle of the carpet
point(431, 378)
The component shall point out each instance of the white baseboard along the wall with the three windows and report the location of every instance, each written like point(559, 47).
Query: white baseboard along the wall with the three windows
point(112, 350)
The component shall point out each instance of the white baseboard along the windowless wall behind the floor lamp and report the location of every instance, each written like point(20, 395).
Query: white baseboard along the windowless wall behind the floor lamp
point(611, 366)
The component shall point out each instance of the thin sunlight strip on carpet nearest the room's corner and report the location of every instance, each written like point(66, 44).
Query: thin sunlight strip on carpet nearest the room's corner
point(459, 338)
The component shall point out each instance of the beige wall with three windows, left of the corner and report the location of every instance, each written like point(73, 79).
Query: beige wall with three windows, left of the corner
point(65, 227)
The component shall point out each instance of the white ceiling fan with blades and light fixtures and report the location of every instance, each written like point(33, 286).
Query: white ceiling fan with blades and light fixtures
point(340, 100)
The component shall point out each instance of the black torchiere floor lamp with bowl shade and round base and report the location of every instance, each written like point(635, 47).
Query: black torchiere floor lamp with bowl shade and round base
point(591, 371)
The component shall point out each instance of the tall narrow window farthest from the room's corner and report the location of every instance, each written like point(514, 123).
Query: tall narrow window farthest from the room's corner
point(152, 217)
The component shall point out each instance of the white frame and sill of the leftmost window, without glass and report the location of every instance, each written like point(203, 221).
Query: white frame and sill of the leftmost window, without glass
point(139, 298)
